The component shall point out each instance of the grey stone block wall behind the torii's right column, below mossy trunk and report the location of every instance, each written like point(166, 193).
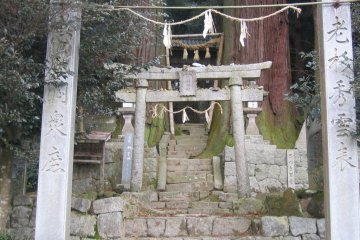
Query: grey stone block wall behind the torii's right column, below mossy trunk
point(267, 167)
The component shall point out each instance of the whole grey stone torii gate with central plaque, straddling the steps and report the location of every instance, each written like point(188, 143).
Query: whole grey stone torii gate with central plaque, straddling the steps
point(188, 77)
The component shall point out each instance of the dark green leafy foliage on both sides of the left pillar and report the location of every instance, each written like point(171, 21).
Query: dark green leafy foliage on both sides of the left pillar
point(106, 37)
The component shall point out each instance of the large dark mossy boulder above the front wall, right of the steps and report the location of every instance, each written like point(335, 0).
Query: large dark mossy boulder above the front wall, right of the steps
point(287, 204)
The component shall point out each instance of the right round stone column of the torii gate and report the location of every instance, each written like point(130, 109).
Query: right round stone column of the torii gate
point(237, 112)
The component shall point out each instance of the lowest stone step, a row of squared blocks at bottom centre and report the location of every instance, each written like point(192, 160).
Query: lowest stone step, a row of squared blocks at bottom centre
point(186, 227)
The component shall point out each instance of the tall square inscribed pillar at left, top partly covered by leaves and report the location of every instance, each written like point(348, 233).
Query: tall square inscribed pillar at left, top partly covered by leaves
point(58, 123)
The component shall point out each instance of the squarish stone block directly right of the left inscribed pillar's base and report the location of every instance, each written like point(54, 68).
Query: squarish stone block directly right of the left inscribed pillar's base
point(82, 225)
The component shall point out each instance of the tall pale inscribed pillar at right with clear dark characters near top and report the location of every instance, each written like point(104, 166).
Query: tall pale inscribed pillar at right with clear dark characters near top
point(338, 122)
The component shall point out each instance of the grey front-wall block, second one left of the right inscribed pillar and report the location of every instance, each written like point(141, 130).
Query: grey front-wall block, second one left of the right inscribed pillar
point(299, 225)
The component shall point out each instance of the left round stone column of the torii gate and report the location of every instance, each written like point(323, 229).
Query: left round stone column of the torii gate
point(139, 135)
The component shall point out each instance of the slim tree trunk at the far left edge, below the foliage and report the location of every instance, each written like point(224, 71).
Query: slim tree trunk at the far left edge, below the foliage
point(6, 157)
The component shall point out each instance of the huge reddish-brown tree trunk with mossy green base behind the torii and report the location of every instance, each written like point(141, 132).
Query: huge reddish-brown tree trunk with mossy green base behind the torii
point(269, 41)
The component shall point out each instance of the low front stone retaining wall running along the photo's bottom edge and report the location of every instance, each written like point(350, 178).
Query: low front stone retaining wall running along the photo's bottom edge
point(116, 218)
